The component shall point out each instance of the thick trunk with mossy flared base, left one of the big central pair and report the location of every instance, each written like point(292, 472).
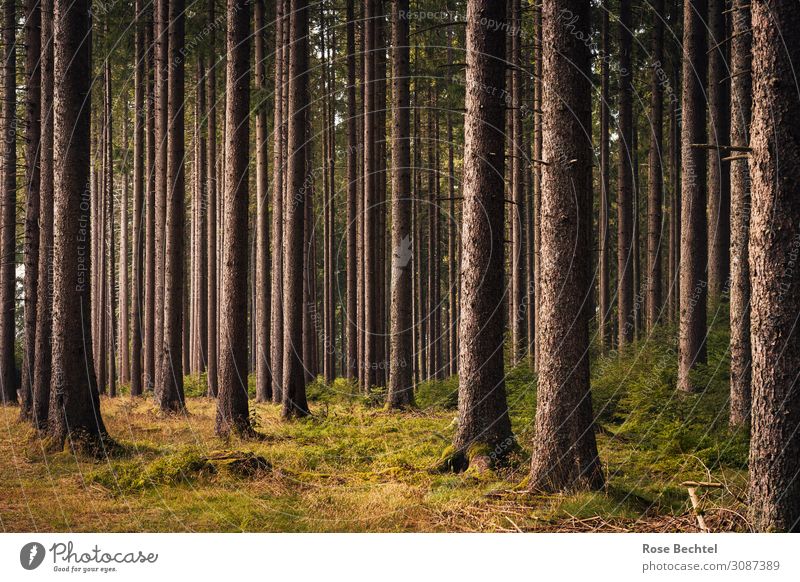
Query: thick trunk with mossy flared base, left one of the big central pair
point(482, 408)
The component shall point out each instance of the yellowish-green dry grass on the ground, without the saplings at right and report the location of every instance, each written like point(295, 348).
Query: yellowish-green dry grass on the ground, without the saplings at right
point(352, 468)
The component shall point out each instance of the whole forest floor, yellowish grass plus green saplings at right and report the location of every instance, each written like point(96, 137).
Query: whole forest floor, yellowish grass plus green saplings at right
point(355, 467)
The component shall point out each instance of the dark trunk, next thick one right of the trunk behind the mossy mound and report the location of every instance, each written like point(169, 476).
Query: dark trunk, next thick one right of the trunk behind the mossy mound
point(294, 389)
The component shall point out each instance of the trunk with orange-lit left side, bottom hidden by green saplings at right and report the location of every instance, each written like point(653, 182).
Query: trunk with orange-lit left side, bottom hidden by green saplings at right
point(691, 344)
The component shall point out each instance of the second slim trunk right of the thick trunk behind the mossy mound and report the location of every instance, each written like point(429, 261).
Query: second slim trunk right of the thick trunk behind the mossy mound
point(278, 171)
